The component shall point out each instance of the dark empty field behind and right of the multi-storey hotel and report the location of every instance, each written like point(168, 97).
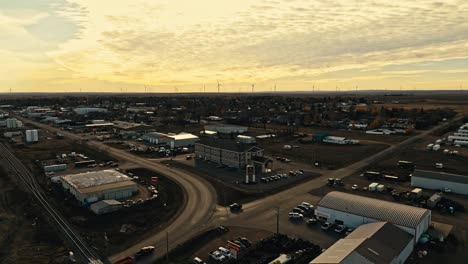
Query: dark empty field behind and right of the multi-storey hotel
point(327, 155)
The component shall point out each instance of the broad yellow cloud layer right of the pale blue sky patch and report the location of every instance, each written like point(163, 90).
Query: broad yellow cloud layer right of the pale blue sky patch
point(185, 41)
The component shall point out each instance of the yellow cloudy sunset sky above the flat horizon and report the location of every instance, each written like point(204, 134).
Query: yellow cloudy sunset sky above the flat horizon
point(191, 45)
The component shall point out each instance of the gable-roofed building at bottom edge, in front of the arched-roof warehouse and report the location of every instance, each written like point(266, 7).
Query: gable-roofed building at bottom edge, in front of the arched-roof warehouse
point(378, 242)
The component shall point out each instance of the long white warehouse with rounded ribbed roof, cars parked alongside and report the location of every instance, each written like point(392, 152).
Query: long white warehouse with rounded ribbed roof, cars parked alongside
point(355, 210)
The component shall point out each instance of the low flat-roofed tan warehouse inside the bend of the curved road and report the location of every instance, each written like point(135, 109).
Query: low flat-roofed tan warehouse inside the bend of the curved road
point(93, 186)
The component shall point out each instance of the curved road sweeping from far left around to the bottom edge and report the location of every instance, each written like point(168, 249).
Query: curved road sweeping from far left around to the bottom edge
point(200, 202)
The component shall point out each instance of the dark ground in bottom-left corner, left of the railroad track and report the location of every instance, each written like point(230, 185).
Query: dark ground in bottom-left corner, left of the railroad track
point(25, 236)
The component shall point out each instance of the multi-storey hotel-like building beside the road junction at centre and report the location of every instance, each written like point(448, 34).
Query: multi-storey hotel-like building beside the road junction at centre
point(232, 153)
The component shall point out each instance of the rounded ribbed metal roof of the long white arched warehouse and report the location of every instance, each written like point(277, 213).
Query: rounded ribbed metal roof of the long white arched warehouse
point(394, 213)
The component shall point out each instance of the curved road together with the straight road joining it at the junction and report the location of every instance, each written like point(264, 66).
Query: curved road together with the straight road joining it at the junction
point(201, 203)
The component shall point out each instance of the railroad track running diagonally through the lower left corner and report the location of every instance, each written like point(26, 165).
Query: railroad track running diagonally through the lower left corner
point(15, 165)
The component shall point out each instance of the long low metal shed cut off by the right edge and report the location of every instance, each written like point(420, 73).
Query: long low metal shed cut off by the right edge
point(440, 180)
